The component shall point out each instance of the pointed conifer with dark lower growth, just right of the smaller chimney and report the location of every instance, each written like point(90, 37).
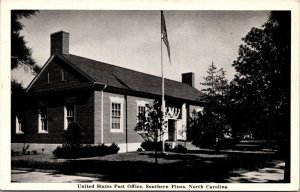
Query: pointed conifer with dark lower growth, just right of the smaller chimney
point(208, 127)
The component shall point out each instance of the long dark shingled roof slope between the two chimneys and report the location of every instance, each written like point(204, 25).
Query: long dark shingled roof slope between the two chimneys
point(127, 79)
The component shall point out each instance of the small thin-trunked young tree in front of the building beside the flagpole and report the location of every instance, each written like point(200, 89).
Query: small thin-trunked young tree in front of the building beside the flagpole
point(151, 124)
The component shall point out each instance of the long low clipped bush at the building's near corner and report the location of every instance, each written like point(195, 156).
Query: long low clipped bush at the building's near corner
point(69, 152)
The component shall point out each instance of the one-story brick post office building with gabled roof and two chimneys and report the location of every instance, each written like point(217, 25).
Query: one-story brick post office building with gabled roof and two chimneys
point(103, 99)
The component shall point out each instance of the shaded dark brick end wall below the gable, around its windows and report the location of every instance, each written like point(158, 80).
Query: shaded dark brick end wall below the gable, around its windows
point(83, 116)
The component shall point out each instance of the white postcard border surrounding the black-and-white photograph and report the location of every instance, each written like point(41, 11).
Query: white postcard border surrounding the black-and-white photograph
point(7, 5)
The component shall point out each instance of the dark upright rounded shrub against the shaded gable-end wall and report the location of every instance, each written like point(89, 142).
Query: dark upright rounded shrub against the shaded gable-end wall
point(72, 136)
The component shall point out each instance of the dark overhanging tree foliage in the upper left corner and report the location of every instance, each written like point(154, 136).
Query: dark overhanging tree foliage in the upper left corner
point(20, 53)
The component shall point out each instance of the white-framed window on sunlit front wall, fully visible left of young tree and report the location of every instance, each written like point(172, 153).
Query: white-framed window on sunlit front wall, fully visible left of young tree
point(116, 114)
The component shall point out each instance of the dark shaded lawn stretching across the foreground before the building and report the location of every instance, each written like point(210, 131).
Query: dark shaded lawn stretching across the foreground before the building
point(141, 167)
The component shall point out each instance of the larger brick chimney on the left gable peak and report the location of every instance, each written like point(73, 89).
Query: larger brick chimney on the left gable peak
point(59, 43)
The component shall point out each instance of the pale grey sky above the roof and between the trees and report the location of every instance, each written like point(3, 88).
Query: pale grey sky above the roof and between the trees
point(132, 39)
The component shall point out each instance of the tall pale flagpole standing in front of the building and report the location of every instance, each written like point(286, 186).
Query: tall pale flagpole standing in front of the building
point(162, 90)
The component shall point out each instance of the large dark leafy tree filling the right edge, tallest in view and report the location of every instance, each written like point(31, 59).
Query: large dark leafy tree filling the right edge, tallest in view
point(261, 87)
